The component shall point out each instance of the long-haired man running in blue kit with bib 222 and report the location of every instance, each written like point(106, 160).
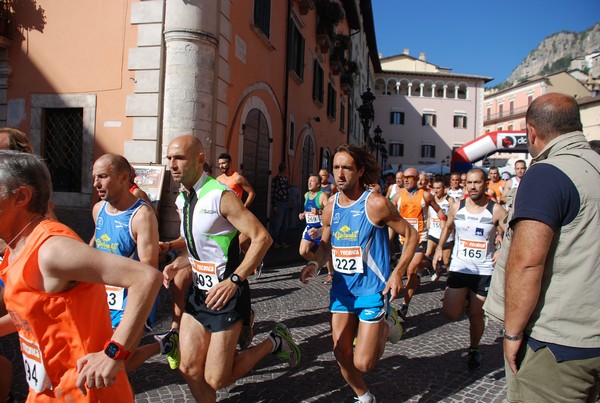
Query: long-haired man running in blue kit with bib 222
point(355, 236)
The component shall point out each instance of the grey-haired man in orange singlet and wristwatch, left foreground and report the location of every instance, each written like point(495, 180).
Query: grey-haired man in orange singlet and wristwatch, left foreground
point(56, 301)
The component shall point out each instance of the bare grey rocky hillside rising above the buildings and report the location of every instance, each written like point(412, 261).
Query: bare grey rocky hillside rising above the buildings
point(555, 53)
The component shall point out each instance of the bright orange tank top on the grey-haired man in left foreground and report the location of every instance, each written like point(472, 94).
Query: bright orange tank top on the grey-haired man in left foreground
point(56, 329)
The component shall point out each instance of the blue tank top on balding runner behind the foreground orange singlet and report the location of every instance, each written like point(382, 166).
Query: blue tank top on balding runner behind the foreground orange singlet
point(113, 235)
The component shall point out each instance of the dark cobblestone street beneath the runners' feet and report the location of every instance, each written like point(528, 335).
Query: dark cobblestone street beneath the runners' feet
point(428, 365)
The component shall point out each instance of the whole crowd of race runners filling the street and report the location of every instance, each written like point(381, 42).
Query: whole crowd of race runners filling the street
point(80, 318)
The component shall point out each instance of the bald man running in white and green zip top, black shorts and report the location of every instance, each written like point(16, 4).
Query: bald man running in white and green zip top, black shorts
point(219, 297)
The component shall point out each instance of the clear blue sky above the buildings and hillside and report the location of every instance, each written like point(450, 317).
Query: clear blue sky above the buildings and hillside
point(476, 37)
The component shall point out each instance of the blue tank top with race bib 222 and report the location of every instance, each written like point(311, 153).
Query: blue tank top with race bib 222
point(360, 250)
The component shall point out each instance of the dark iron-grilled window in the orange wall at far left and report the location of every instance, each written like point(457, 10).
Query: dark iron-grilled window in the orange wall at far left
point(63, 147)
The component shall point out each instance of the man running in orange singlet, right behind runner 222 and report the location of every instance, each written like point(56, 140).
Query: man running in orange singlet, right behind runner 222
point(413, 204)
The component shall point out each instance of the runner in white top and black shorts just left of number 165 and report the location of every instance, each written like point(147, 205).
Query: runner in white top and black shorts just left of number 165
point(435, 227)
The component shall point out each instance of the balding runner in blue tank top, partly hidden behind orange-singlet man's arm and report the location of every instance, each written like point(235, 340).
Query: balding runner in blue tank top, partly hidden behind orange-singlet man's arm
point(127, 226)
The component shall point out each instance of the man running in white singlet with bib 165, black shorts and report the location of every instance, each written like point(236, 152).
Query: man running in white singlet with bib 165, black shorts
point(474, 222)
